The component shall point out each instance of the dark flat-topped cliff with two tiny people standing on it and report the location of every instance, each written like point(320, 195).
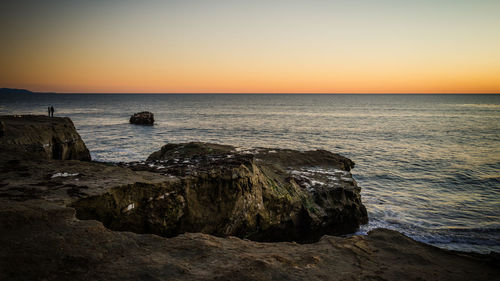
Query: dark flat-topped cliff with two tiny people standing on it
point(41, 137)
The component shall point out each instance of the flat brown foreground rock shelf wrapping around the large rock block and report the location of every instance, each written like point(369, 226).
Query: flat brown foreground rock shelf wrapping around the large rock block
point(38, 223)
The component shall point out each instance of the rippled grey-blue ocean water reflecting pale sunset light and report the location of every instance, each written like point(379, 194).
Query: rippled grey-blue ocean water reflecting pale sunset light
point(428, 165)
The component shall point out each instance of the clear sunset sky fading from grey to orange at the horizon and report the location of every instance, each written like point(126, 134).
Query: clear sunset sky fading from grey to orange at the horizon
point(319, 46)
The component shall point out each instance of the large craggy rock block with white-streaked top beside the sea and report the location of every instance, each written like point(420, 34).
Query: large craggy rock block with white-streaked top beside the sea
point(259, 194)
